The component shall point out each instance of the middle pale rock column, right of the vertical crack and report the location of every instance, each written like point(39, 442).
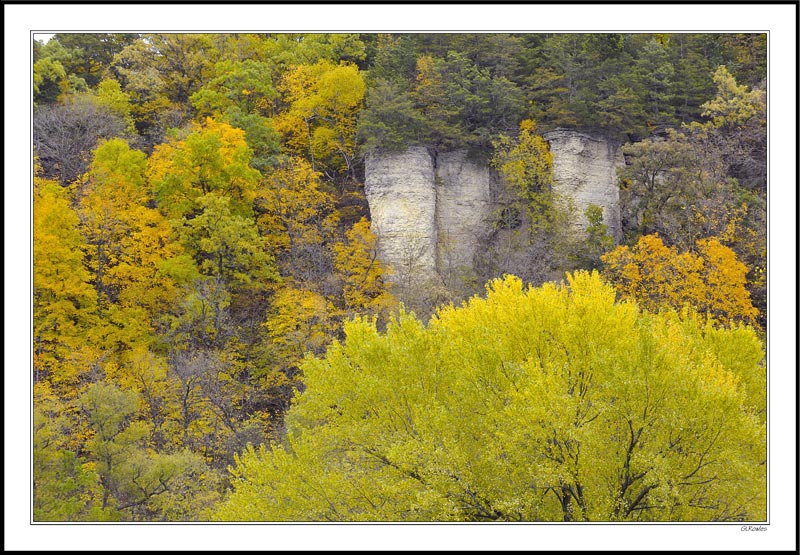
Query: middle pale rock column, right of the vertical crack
point(463, 204)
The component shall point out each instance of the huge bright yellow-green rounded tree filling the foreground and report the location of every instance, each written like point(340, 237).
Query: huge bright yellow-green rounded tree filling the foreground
point(538, 404)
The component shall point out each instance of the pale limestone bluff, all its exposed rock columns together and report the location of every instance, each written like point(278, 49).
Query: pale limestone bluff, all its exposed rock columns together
point(430, 212)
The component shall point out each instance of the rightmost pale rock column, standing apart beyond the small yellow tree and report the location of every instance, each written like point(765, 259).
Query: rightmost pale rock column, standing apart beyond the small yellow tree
point(585, 171)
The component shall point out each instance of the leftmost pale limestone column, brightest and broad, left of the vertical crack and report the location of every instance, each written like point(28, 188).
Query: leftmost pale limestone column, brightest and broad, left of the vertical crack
point(402, 200)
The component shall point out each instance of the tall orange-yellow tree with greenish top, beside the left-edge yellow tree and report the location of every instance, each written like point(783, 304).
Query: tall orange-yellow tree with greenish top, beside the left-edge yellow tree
point(128, 244)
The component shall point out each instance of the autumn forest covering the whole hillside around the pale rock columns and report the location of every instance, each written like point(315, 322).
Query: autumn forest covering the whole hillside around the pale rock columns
point(216, 336)
